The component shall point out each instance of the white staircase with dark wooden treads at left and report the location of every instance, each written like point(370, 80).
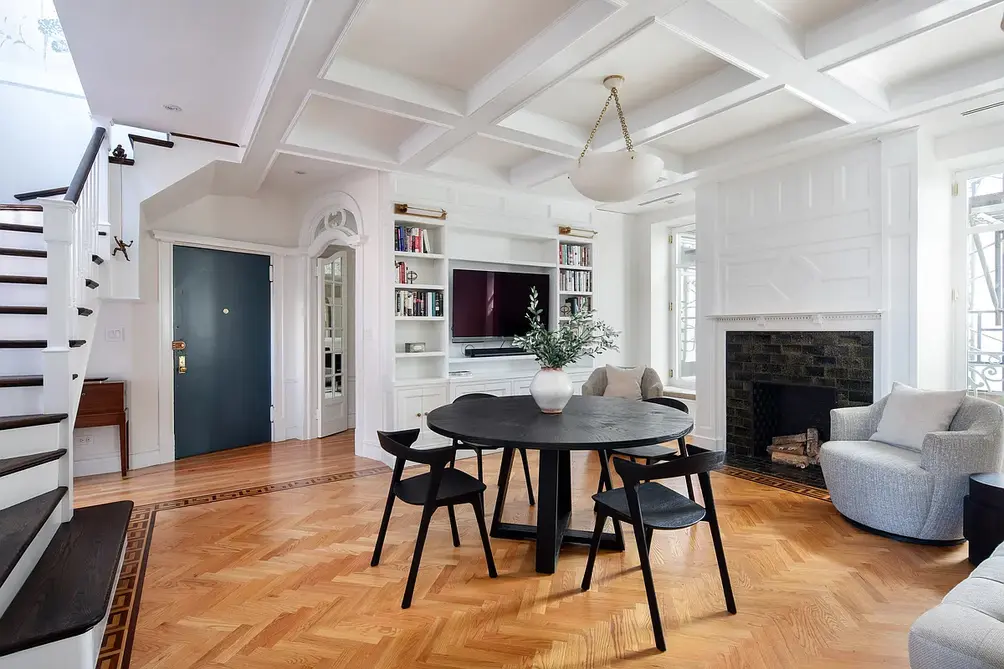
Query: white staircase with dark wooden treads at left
point(59, 568)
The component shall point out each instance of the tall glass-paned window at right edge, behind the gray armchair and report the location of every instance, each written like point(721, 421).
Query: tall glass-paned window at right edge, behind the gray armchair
point(984, 290)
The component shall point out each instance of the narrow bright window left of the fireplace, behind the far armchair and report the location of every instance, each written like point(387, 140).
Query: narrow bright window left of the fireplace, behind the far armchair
point(684, 310)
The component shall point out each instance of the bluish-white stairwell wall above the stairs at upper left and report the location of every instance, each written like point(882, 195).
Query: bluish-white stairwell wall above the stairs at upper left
point(43, 138)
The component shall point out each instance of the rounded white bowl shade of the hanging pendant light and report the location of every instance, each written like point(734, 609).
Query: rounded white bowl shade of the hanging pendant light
point(616, 177)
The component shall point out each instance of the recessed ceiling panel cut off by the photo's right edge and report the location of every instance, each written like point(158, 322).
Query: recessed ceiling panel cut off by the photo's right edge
point(951, 45)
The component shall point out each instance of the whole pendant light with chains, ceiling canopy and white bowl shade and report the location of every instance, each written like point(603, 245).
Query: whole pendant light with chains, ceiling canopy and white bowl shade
point(615, 176)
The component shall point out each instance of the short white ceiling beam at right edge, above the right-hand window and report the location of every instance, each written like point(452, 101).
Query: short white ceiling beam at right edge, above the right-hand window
point(976, 78)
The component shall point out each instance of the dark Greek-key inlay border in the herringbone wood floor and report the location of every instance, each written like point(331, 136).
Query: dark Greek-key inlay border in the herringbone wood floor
point(117, 647)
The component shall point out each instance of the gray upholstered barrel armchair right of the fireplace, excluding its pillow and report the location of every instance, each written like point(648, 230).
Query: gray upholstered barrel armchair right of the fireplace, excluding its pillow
point(901, 492)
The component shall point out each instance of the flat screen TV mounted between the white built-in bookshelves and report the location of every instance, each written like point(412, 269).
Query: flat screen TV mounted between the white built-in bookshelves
point(493, 305)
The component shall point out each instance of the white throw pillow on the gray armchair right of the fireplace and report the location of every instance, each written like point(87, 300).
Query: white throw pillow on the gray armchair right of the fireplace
point(912, 414)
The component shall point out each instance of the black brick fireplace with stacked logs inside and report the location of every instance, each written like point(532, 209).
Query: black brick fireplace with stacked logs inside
point(783, 385)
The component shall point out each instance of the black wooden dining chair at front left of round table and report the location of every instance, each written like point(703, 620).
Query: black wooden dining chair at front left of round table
point(440, 487)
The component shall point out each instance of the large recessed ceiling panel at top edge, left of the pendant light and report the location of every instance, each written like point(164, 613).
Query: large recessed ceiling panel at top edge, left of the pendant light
point(445, 42)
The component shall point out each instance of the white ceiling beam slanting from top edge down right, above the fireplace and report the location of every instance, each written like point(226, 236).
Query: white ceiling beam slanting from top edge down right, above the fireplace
point(709, 28)
